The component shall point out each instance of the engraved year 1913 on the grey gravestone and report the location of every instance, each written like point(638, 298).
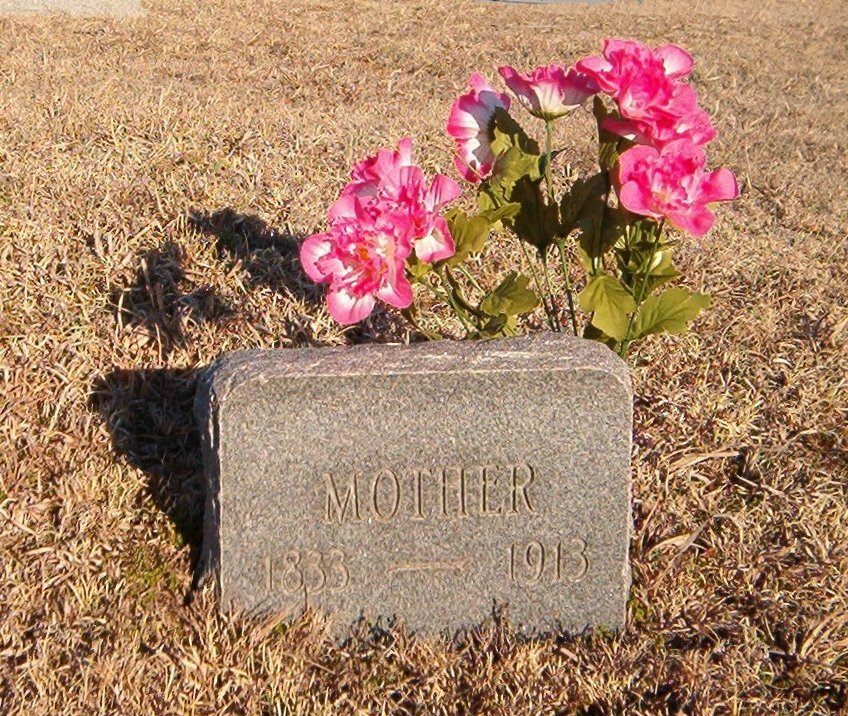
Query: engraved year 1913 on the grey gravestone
point(535, 562)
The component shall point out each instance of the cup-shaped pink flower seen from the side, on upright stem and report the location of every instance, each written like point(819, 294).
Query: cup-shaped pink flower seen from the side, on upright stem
point(549, 92)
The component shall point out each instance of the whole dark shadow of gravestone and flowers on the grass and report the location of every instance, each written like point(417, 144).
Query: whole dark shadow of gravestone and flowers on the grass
point(149, 413)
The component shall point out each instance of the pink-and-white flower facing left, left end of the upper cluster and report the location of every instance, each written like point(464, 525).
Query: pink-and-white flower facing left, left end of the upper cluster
point(470, 124)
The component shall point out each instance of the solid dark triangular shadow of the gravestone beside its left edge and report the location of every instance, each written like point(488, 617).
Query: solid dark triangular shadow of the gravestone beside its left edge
point(150, 417)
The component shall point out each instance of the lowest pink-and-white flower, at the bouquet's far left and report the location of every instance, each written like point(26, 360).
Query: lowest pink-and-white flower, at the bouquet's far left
point(362, 257)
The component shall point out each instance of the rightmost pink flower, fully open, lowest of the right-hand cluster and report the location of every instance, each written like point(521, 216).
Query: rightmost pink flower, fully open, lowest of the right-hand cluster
point(671, 183)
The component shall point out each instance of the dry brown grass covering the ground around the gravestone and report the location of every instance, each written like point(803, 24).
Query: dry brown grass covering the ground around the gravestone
point(120, 144)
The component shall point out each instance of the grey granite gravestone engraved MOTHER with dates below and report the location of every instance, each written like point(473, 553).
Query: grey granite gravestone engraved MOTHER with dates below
point(431, 483)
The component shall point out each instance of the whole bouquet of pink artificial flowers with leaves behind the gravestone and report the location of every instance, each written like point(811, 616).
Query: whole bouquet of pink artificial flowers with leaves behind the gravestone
point(607, 235)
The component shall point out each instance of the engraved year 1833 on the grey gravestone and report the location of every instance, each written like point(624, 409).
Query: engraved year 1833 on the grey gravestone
point(307, 572)
